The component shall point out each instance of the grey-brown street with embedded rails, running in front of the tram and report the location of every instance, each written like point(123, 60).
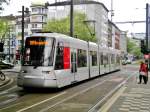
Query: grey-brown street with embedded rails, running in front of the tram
point(80, 97)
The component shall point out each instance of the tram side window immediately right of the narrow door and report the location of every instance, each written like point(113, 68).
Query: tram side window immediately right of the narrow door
point(82, 58)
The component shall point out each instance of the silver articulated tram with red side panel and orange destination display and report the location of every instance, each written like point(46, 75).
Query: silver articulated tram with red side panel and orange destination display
point(53, 60)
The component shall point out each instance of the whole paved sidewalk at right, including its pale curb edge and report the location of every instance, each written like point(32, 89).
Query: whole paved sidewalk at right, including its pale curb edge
point(132, 97)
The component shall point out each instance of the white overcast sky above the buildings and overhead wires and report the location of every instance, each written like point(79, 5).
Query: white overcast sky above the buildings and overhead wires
point(124, 10)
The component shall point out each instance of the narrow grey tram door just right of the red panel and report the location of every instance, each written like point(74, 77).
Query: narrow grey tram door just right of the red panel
point(74, 63)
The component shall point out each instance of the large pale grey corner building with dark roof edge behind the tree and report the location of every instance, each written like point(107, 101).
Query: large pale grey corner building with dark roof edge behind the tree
point(96, 12)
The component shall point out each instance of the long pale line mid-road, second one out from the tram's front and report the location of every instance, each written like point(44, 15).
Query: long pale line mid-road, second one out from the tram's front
point(78, 93)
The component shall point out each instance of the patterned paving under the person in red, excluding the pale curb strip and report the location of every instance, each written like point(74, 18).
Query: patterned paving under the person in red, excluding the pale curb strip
point(136, 98)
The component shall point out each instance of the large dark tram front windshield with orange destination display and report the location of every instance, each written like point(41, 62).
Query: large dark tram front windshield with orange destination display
point(39, 51)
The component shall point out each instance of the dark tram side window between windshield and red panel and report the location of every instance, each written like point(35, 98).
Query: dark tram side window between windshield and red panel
point(59, 58)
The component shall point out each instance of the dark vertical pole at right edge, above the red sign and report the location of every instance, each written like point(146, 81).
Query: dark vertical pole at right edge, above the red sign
point(148, 26)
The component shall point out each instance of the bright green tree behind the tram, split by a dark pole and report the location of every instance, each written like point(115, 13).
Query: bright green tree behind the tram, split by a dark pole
point(63, 26)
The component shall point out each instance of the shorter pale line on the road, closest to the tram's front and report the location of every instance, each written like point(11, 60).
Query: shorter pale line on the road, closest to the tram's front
point(40, 102)
